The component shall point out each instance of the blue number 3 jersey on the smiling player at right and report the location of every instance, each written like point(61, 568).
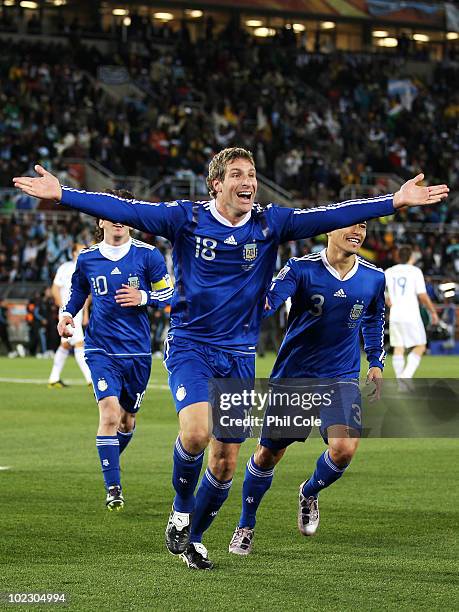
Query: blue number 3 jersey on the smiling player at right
point(326, 316)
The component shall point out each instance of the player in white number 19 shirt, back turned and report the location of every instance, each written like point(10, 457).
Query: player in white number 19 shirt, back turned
point(405, 289)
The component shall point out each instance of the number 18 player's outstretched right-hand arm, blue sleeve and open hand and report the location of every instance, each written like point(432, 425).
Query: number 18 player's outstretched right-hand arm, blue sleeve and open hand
point(300, 223)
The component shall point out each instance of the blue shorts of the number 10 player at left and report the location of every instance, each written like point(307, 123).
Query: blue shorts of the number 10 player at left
point(123, 377)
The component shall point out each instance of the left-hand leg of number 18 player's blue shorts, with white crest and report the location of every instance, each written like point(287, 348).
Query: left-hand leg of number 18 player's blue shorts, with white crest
point(189, 370)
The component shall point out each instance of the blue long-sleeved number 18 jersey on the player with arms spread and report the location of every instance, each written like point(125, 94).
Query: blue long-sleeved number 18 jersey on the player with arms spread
point(221, 270)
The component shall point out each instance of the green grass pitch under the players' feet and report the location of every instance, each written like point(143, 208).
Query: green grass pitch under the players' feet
point(387, 540)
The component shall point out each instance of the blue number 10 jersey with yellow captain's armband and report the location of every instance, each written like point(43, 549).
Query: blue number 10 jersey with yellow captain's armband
point(113, 329)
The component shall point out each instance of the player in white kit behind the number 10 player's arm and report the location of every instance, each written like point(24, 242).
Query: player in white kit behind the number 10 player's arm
point(61, 293)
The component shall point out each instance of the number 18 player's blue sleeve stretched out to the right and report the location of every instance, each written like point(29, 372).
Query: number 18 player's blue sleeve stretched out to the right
point(298, 223)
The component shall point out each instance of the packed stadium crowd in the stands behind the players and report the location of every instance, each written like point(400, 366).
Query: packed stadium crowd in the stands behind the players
point(315, 122)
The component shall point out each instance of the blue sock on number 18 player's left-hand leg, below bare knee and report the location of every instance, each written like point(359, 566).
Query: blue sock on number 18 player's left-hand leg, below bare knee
point(185, 476)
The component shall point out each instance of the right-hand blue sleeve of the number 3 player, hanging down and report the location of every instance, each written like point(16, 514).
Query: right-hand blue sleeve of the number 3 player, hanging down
point(373, 328)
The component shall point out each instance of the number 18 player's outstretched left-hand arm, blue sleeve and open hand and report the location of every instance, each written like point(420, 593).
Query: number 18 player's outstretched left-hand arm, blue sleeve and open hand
point(159, 218)
